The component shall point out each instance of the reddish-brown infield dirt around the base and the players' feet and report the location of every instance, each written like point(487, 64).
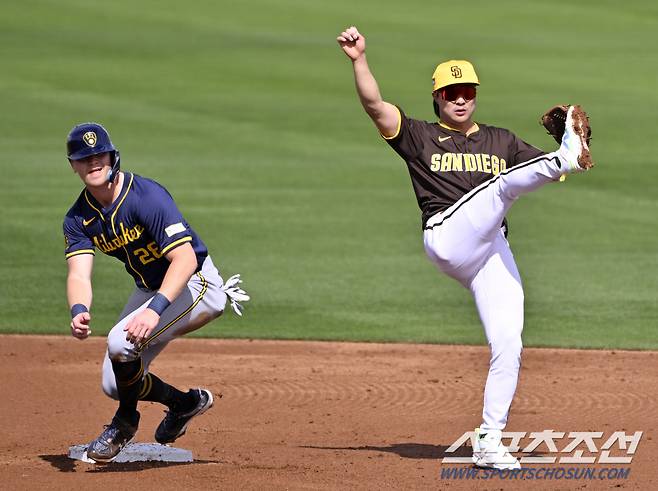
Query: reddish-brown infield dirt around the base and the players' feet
point(314, 415)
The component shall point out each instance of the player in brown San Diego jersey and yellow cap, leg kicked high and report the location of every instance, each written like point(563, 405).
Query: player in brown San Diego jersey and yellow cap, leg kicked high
point(466, 176)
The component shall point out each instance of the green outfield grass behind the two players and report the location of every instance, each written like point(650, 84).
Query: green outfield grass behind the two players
point(246, 111)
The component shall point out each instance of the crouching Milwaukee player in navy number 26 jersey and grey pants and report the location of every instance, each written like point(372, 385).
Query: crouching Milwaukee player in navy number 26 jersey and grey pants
point(178, 288)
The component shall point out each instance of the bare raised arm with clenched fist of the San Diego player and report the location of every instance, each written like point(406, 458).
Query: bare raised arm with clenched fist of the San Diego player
point(385, 116)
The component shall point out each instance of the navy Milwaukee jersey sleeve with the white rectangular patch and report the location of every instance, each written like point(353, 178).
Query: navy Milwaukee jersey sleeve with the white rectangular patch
point(162, 219)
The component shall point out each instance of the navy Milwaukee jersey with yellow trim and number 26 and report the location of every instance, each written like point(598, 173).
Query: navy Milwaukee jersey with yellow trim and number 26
point(138, 228)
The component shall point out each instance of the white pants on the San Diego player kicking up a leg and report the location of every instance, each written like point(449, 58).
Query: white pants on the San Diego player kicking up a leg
point(466, 242)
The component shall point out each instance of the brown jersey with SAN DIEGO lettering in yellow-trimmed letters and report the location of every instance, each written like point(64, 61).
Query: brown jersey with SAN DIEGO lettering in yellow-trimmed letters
point(445, 164)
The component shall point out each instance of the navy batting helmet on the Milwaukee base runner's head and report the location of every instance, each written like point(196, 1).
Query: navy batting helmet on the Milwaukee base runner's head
point(89, 139)
